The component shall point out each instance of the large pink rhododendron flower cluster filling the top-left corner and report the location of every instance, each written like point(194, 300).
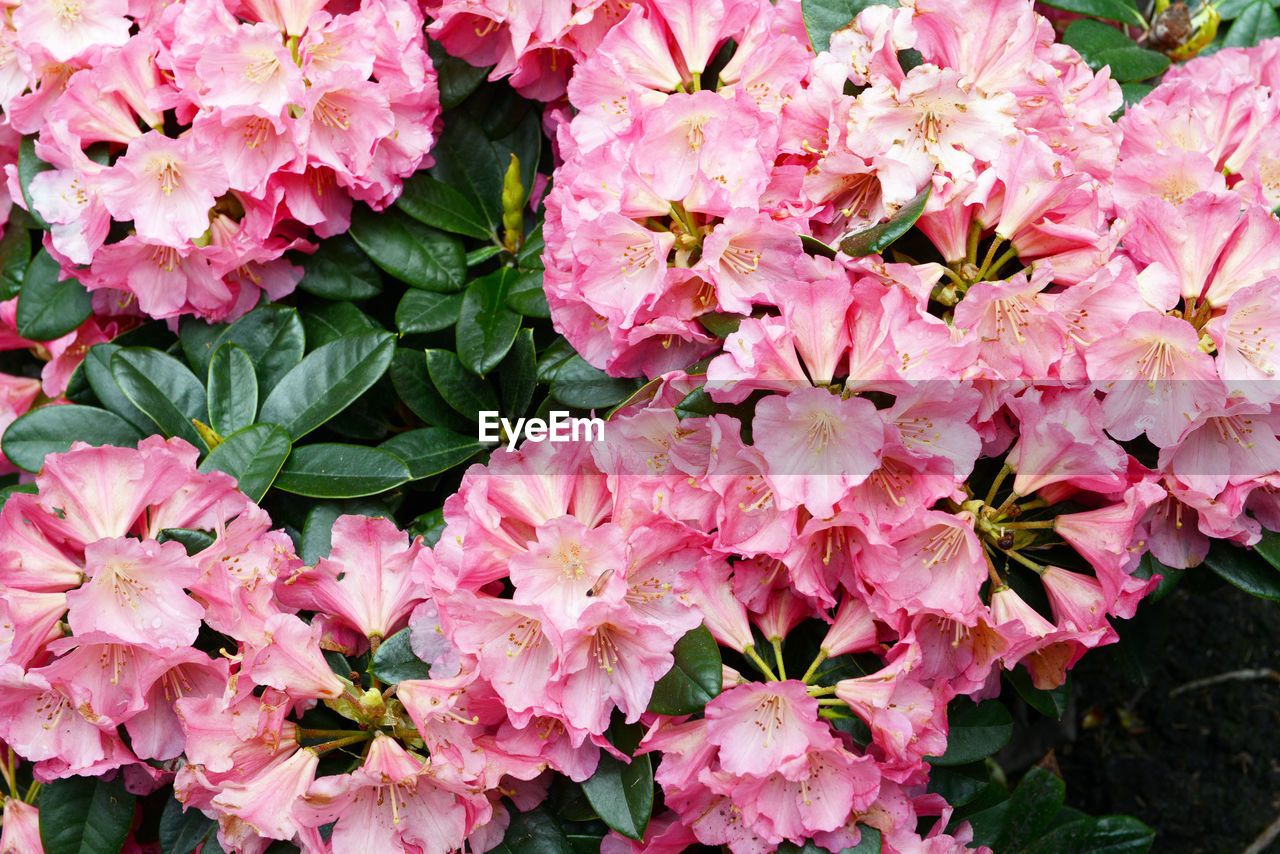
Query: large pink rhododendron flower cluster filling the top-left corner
point(194, 144)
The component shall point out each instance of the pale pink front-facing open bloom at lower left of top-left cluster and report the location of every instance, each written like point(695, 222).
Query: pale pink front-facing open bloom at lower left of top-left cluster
point(166, 188)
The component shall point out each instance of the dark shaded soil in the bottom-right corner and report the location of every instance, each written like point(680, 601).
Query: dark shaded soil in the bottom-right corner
point(1201, 766)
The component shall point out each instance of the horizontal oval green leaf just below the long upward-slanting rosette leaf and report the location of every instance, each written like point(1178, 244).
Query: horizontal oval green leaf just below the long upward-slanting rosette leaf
point(333, 471)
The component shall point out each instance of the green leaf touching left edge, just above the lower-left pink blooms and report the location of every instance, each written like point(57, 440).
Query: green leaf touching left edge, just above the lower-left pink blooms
point(52, 430)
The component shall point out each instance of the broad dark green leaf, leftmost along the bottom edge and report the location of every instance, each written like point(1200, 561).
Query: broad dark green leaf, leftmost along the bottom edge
point(85, 816)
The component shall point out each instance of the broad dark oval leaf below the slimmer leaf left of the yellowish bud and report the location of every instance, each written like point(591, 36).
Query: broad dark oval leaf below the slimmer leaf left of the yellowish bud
point(409, 250)
